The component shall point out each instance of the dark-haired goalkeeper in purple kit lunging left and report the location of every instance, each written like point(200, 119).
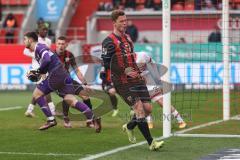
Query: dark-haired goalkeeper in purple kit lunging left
point(58, 80)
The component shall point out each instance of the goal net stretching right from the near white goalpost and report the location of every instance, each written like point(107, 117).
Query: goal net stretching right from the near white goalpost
point(205, 67)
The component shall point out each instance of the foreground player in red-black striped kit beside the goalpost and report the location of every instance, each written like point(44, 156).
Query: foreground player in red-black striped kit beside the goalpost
point(118, 56)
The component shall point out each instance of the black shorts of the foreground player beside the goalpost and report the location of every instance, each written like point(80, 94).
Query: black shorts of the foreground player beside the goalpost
point(132, 92)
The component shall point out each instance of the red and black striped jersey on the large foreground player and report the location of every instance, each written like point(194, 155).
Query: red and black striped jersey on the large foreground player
point(117, 55)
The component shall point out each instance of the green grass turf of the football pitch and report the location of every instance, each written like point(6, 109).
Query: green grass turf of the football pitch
point(20, 135)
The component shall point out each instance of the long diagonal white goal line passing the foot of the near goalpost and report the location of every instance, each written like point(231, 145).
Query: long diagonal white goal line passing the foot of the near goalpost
point(106, 153)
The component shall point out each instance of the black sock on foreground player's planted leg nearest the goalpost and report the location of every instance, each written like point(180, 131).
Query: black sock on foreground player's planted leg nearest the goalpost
point(143, 127)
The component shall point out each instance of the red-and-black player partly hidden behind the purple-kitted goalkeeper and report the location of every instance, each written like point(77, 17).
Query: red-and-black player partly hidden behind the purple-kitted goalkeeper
point(68, 60)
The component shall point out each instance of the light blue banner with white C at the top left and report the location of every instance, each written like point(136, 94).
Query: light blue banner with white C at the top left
point(50, 10)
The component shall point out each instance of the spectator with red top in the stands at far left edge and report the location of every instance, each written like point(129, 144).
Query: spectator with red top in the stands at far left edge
point(10, 24)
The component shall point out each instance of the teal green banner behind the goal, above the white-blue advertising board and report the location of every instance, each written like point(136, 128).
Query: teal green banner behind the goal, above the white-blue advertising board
point(190, 52)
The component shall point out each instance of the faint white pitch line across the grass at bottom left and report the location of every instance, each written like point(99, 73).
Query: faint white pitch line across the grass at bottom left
point(39, 154)
